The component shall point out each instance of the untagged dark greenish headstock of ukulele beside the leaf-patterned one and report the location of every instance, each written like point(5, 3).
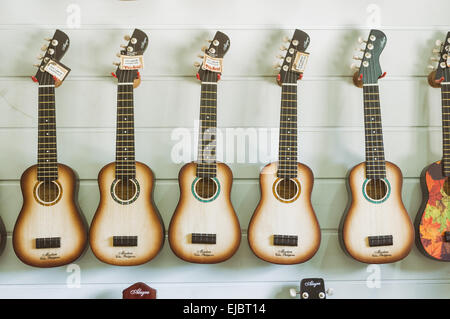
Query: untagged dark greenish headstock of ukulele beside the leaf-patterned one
point(369, 71)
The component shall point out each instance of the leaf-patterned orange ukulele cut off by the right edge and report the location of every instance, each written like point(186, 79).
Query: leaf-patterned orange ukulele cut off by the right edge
point(433, 218)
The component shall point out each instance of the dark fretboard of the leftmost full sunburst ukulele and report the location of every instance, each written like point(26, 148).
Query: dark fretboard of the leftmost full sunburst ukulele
point(46, 159)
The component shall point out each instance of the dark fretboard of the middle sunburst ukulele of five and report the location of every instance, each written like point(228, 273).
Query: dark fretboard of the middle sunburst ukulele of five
point(206, 158)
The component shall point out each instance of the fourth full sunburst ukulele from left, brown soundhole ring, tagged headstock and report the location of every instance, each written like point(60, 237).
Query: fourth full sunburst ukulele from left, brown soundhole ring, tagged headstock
point(284, 228)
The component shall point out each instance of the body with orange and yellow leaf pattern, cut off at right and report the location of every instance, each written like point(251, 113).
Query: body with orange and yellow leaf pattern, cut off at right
point(433, 218)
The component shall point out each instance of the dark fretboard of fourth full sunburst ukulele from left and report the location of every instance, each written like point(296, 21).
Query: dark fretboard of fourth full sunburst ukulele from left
point(287, 147)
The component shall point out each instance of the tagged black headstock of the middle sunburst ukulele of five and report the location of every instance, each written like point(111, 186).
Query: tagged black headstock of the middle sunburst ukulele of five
point(211, 67)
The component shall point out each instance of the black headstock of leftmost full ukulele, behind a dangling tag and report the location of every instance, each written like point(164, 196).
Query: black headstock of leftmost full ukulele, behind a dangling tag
point(55, 50)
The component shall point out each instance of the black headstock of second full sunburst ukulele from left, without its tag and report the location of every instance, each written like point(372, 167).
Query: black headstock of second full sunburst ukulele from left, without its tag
point(136, 46)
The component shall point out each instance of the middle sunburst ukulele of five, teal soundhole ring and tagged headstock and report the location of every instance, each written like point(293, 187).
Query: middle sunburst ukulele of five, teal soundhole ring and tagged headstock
point(204, 227)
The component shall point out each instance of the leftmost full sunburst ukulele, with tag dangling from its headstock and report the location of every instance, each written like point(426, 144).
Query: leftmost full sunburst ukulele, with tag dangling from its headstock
point(50, 230)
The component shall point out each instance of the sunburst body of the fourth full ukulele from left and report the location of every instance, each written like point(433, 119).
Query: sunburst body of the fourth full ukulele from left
point(275, 216)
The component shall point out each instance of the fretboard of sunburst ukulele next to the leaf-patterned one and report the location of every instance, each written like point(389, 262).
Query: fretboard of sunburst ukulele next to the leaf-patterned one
point(375, 163)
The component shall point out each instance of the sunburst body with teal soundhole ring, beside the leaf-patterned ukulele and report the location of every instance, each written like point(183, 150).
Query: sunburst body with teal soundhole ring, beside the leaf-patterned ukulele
point(385, 217)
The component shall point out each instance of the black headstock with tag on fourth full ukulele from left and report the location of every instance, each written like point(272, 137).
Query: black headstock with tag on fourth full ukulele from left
point(293, 64)
